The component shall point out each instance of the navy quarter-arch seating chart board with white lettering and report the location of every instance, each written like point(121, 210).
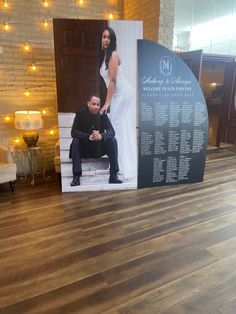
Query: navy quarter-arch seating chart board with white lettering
point(173, 120)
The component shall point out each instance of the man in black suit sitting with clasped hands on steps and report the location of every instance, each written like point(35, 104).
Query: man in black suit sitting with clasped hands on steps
point(93, 137)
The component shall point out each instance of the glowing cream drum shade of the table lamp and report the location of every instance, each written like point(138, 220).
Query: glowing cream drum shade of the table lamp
point(28, 120)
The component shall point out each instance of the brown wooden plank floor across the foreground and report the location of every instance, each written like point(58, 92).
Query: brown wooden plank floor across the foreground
point(160, 250)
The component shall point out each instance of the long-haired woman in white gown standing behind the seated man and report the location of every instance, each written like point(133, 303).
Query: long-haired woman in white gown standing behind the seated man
point(121, 100)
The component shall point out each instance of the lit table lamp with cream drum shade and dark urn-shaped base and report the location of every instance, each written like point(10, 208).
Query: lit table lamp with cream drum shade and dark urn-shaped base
point(29, 121)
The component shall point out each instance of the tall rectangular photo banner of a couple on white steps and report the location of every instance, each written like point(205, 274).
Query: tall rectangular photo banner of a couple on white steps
point(96, 72)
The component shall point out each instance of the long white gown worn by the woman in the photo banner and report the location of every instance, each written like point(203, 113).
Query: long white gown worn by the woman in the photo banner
point(123, 118)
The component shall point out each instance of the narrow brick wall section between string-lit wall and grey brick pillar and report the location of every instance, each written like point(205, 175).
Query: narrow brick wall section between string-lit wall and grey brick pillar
point(147, 11)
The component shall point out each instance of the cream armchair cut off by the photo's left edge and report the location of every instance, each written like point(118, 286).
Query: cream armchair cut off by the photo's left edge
point(7, 167)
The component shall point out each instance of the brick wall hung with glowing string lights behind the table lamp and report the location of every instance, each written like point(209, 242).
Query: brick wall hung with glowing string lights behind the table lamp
point(24, 18)
